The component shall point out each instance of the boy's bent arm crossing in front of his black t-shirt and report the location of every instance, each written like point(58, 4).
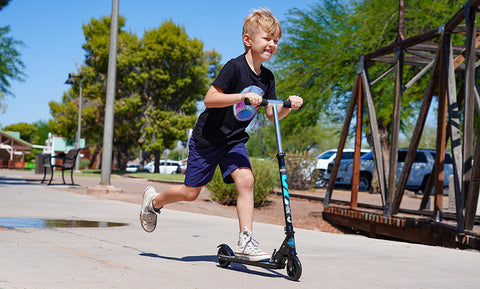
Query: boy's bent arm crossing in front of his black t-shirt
point(215, 98)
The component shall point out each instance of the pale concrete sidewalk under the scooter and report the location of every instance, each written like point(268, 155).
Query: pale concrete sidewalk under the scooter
point(181, 253)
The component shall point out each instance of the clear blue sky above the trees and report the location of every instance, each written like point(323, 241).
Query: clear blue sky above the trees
point(52, 33)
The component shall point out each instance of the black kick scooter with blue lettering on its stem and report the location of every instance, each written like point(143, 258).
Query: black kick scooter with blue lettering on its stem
point(287, 254)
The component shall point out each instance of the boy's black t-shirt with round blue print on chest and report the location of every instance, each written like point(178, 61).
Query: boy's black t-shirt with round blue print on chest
point(226, 125)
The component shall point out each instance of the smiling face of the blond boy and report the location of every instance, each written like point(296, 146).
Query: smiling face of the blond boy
point(262, 45)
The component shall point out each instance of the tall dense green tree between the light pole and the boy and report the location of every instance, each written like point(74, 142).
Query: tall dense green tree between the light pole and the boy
point(174, 77)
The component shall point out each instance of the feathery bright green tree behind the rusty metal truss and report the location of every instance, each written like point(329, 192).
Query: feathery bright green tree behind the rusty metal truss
point(320, 54)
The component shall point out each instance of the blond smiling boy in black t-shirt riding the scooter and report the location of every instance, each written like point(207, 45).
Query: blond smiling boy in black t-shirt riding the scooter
point(219, 136)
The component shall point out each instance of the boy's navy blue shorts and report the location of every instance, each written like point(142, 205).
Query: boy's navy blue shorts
point(202, 162)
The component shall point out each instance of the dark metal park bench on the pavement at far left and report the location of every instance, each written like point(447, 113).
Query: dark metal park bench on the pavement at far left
point(67, 163)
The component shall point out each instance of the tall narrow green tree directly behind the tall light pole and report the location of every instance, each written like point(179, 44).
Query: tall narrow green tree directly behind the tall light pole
point(128, 102)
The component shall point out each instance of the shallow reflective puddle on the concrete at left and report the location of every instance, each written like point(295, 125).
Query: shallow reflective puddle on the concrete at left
point(46, 223)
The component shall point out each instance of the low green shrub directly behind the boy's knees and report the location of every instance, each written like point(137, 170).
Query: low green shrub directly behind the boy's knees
point(266, 177)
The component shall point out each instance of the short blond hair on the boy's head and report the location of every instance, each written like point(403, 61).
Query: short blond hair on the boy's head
point(262, 19)
